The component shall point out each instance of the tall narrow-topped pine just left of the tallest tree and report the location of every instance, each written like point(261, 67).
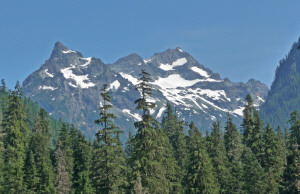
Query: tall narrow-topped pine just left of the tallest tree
point(108, 165)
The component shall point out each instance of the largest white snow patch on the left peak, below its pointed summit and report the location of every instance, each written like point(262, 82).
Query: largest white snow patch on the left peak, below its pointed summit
point(81, 80)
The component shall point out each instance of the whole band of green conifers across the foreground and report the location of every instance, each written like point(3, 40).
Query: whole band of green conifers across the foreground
point(159, 158)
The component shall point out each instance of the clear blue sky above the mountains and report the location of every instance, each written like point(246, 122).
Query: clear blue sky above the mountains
point(238, 39)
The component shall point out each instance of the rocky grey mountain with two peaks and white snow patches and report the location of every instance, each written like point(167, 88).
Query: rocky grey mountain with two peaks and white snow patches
point(68, 84)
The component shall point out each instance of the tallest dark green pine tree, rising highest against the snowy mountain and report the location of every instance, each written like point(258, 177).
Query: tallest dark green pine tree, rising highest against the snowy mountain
point(152, 154)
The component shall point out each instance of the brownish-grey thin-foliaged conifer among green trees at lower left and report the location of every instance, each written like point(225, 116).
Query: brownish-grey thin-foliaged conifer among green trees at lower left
point(64, 183)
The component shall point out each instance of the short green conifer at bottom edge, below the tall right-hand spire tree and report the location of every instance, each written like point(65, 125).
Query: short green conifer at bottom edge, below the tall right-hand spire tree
point(254, 175)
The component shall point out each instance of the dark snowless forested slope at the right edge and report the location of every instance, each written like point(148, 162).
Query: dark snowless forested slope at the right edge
point(284, 95)
